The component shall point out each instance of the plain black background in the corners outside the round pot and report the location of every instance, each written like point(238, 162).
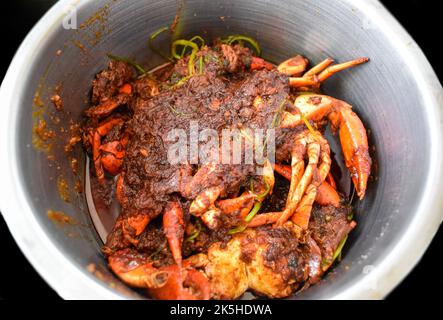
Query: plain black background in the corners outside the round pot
point(17, 277)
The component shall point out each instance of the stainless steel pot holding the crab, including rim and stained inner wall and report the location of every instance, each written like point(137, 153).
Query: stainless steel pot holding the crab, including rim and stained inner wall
point(397, 95)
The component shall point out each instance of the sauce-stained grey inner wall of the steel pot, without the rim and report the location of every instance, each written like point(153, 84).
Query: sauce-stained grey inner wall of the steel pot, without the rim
point(316, 29)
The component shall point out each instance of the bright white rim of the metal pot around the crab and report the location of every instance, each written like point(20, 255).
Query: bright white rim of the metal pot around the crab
point(72, 283)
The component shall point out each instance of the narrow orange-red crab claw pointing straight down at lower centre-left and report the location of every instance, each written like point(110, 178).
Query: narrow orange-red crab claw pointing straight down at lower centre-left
point(174, 228)
